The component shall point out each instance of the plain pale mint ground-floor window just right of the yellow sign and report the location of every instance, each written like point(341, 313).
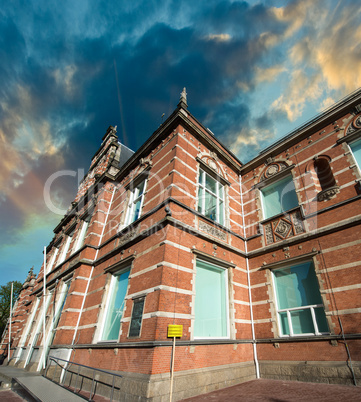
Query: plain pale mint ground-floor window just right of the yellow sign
point(211, 302)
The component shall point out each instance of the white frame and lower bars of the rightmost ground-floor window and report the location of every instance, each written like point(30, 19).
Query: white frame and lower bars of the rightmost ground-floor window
point(288, 311)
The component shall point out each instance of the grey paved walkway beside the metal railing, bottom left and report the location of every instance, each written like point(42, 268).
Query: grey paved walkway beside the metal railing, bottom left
point(37, 386)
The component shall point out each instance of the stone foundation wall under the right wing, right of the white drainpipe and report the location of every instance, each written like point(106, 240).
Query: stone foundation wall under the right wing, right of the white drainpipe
point(315, 371)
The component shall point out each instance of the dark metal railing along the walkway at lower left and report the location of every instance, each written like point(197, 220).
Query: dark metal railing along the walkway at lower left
point(66, 367)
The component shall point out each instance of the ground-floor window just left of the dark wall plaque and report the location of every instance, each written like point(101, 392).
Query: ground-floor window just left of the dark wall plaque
point(115, 306)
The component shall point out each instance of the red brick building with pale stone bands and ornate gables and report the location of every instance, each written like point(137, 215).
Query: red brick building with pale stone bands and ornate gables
point(260, 263)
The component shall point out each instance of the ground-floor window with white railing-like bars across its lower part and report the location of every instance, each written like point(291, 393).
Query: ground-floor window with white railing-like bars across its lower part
point(299, 305)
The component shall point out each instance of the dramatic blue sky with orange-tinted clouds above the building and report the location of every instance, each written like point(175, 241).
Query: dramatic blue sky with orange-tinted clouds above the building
point(253, 70)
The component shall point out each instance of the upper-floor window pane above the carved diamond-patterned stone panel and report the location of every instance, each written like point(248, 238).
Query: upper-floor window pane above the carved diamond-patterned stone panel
point(279, 197)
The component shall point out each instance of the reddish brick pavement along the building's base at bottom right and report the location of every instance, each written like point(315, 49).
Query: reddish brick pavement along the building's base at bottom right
point(282, 391)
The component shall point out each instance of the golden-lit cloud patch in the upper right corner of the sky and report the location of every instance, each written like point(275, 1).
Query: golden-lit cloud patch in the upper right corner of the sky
point(325, 60)
